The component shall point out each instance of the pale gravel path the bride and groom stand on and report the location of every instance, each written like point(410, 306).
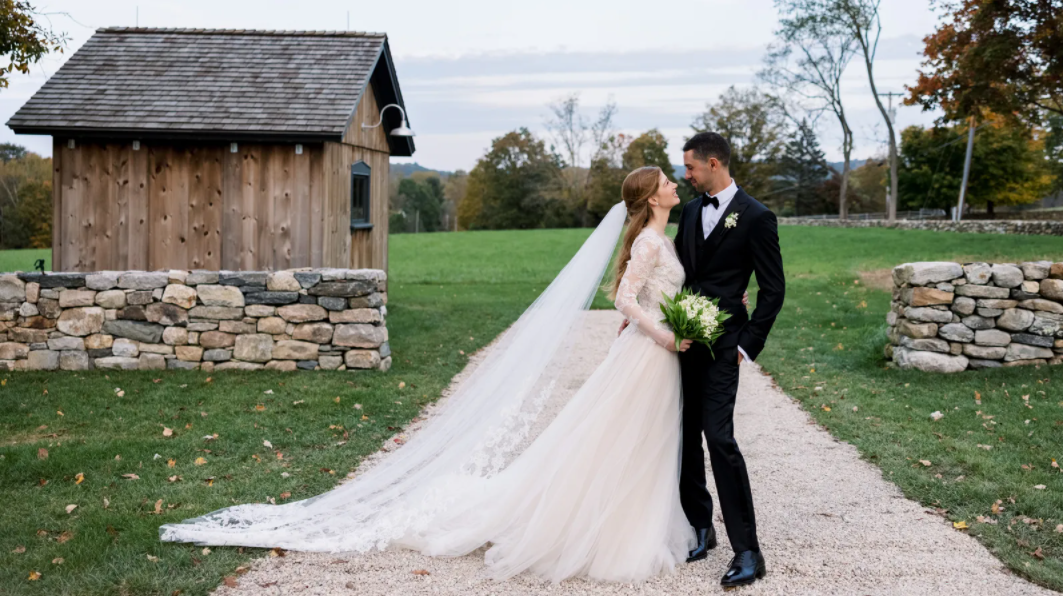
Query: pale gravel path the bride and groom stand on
point(829, 524)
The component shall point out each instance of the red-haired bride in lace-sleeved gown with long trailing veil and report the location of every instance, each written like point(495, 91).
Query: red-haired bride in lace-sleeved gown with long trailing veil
point(596, 495)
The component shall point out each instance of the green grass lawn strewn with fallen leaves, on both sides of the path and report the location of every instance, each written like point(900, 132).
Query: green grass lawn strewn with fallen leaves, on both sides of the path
point(452, 294)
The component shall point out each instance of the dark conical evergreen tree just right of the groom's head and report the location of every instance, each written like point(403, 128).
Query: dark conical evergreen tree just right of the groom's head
point(804, 169)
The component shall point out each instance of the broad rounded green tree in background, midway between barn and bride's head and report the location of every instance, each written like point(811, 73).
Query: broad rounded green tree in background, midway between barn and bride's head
point(513, 186)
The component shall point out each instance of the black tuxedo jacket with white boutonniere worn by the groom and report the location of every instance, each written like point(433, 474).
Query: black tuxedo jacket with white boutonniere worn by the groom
point(721, 267)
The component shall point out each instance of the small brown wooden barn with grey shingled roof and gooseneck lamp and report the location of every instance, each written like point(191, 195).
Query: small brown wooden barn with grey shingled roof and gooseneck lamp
point(222, 150)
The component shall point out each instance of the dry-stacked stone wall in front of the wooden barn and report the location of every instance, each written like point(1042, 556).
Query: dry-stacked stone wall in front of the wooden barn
point(311, 319)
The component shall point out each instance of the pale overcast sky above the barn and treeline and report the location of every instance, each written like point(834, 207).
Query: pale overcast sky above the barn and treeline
point(473, 71)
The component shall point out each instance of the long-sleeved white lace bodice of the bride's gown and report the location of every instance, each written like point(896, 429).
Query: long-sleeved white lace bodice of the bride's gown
point(653, 271)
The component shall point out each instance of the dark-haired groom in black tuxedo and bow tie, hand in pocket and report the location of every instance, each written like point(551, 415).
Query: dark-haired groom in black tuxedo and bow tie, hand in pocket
point(725, 236)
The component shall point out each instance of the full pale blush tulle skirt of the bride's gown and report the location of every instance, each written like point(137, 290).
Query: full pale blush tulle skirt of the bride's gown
point(596, 495)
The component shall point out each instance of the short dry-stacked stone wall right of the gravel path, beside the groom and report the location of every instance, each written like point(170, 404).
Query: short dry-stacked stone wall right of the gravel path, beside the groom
point(949, 318)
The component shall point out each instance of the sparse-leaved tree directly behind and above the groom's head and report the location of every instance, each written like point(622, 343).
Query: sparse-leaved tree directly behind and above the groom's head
point(755, 127)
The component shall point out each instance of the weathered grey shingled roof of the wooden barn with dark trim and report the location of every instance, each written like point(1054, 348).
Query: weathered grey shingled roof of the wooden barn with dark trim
point(231, 84)
